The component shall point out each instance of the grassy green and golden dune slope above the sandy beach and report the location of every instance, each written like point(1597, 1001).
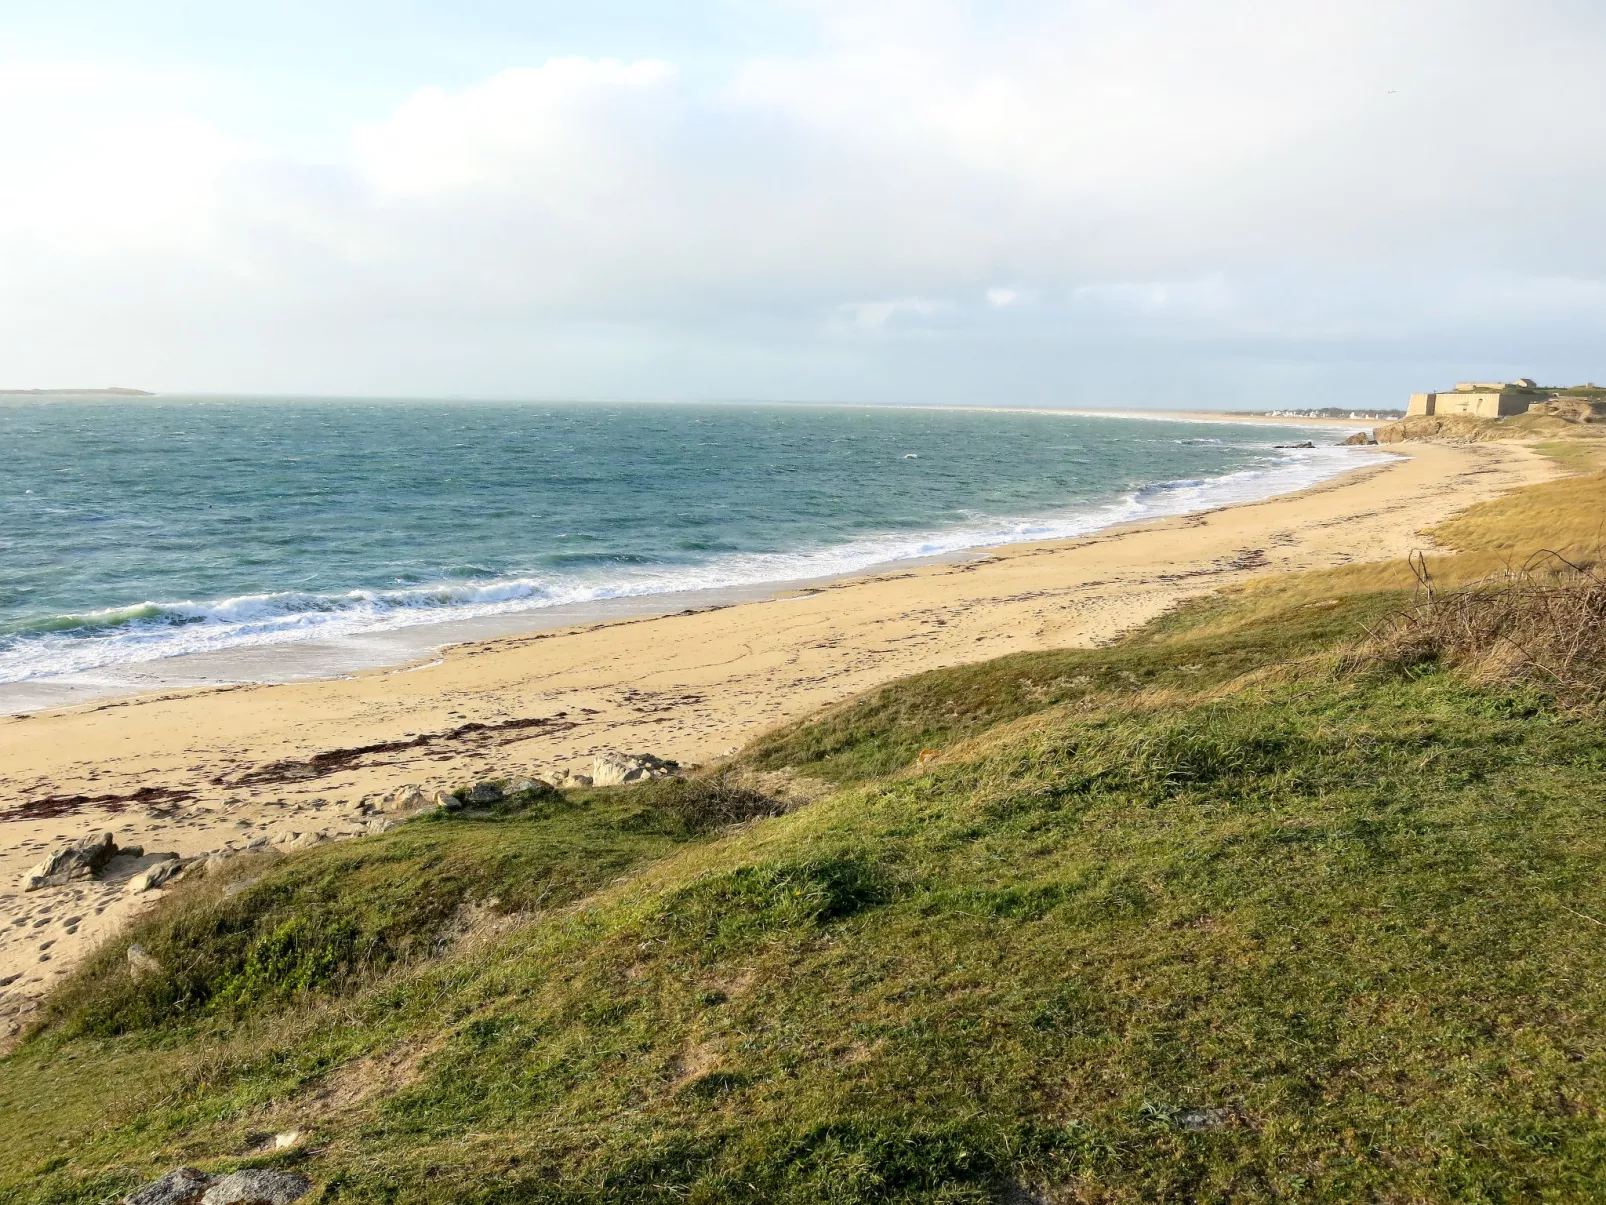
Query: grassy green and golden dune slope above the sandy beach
point(1253, 905)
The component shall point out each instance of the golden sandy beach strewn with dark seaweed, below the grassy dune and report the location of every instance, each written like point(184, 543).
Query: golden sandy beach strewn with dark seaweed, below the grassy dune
point(206, 770)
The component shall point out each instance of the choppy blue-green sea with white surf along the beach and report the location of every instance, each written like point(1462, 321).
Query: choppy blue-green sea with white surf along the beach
point(142, 533)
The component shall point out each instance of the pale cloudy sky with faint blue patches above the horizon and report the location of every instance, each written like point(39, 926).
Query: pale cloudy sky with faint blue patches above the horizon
point(1146, 203)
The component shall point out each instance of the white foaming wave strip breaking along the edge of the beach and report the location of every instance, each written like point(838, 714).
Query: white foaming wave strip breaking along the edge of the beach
point(152, 631)
